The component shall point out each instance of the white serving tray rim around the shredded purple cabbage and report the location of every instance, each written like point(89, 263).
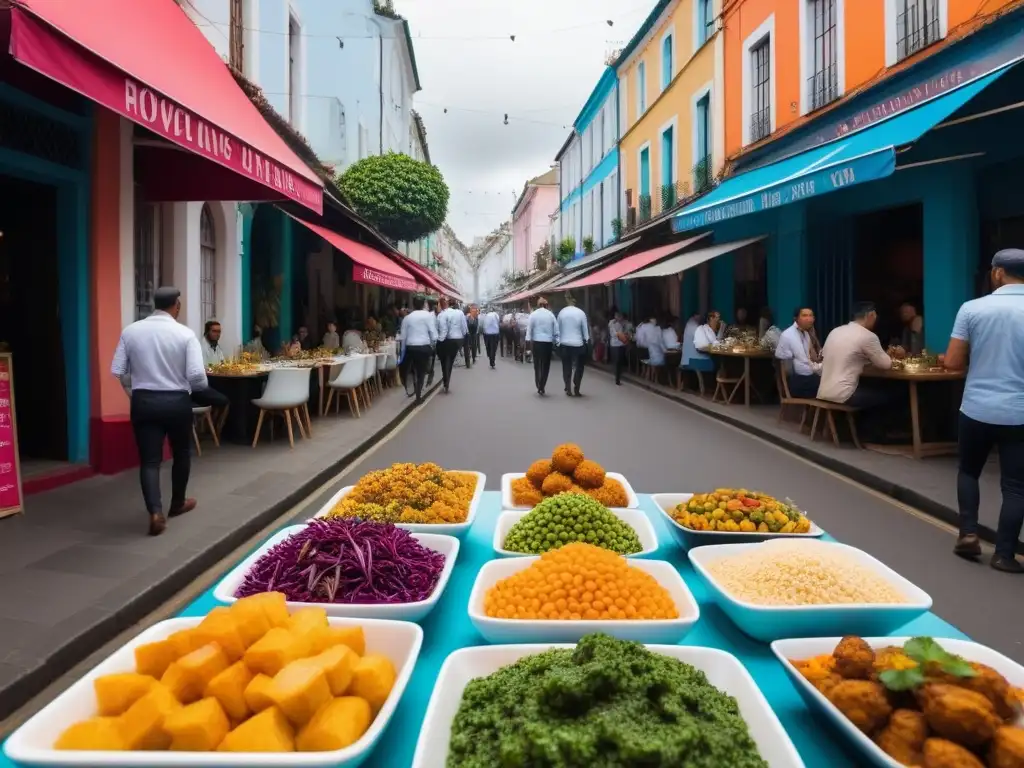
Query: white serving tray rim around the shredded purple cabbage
point(446, 545)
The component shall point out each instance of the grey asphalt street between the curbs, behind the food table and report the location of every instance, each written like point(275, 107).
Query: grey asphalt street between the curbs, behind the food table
point(495, 422)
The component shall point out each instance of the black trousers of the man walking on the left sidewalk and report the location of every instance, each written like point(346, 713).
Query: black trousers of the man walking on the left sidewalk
point(156, 416)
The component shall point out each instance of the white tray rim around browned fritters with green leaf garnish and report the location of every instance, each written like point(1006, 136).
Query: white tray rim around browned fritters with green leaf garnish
point(789, 651)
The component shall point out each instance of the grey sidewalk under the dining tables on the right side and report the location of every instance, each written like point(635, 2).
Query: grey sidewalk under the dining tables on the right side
point(928, 485)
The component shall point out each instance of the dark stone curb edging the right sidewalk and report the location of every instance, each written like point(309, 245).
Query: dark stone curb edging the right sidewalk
point(877, 483)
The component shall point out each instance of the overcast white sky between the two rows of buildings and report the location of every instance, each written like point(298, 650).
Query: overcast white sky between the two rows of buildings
point(470, 66)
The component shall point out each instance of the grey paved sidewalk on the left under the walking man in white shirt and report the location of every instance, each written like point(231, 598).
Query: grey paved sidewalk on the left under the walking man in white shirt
point(77, 569)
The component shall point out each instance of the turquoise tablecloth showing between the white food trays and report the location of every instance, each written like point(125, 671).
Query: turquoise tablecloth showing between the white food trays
point(448, 629)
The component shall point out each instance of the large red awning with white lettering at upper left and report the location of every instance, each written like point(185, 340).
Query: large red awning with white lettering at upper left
point(146, 61)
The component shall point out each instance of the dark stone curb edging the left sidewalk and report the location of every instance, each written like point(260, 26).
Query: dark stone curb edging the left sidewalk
point(20, 691)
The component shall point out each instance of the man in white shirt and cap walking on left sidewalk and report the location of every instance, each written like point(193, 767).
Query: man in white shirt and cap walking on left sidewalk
point(161, 362)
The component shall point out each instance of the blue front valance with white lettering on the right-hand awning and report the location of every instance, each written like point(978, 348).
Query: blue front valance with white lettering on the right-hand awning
point(868, 168)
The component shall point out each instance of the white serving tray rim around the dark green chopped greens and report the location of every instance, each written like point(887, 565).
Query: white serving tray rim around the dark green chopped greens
point(723, 670)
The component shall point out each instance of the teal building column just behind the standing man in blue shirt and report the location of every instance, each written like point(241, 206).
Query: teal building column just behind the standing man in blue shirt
point(951, 258)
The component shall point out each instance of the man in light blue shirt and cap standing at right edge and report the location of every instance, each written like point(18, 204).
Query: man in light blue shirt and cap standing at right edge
point(989, 342)
